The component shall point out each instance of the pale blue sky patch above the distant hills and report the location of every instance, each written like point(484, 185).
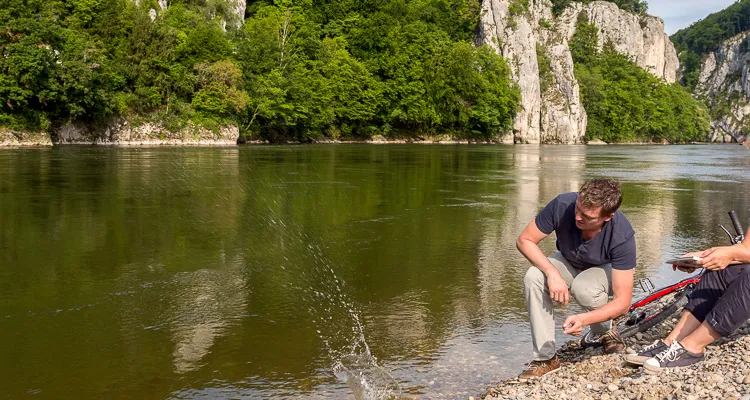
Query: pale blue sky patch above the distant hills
point(678, 14)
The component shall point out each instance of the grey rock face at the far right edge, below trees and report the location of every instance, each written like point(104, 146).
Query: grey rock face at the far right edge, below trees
point(724, 82)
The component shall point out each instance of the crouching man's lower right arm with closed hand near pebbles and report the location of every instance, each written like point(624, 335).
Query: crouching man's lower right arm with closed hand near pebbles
point(622, 286)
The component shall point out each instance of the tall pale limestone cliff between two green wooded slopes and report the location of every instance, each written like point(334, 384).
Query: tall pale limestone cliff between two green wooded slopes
point(551, 108)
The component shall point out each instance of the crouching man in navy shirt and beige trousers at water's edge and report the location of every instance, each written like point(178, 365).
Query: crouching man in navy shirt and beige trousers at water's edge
point(595, 259)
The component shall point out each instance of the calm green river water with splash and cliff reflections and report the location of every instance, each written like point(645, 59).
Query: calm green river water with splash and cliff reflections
point(281, 271)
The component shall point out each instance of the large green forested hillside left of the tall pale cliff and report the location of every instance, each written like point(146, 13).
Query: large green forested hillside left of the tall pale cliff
point(294, 69)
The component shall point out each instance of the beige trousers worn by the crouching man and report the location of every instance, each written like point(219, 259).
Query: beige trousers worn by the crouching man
point(590, 288)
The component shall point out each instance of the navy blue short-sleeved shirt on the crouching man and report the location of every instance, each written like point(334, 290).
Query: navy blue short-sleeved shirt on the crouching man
point(614, 244)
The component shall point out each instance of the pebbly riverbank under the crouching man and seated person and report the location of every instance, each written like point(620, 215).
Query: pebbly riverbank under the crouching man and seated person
point(589, 374)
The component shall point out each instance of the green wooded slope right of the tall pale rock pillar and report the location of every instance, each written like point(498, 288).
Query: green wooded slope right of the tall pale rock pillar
point(624, 103)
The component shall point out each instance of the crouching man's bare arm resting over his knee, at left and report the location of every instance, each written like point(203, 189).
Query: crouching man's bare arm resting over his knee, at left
point(528, 245)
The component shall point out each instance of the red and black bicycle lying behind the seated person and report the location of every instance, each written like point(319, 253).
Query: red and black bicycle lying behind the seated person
point(659, 304)
